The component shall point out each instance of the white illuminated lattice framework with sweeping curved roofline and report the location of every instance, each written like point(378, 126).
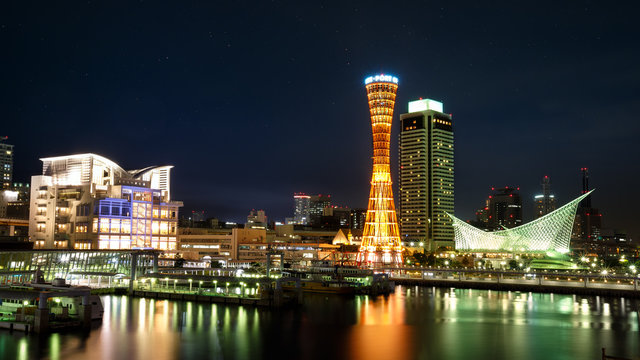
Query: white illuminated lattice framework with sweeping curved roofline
point(551, 232)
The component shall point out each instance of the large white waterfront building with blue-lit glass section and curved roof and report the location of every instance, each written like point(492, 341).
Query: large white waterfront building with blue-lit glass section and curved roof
point(86, 201)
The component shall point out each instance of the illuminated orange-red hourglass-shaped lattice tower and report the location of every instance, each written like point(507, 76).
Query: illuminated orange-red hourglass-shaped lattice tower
point(381, 237)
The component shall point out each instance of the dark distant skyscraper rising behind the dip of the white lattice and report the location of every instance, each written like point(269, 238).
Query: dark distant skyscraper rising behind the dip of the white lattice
point(505, 209)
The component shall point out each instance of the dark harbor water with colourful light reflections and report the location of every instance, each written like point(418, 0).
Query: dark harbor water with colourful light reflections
point(412, 323)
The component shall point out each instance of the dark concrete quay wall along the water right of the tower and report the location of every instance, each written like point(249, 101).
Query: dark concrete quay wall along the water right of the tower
point(505, 286)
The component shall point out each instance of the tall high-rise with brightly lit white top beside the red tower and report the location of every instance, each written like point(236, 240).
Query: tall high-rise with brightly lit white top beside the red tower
point(426, 174)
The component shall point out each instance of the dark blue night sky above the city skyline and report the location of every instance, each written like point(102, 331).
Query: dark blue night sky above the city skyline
point(252, 102)
